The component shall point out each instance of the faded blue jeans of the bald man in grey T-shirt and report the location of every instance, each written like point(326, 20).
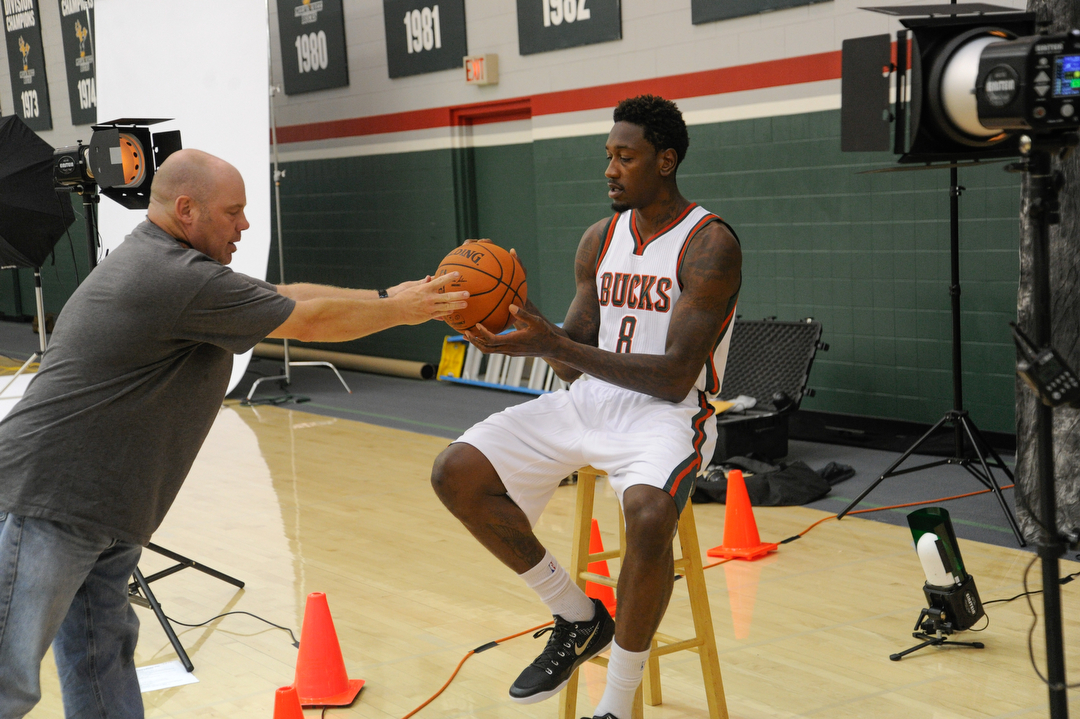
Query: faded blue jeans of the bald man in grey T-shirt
point(67, 587)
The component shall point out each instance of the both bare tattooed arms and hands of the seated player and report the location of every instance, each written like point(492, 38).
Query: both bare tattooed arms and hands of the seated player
point(711, 277)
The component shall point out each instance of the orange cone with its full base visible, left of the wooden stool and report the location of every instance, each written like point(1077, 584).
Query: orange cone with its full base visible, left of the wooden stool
point(321, 680)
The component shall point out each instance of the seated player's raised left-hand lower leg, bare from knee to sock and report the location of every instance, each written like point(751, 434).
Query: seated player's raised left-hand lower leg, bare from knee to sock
point(470, 489)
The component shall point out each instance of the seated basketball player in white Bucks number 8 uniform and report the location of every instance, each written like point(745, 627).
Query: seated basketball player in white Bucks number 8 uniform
point(644, 343)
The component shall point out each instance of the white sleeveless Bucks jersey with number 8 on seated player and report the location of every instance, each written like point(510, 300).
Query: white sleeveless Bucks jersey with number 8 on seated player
point(638, 286)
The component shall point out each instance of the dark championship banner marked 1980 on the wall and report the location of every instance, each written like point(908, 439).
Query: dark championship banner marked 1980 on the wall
point(313, 46)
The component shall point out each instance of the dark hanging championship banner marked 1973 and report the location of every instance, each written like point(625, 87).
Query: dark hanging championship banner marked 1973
point(26, 63)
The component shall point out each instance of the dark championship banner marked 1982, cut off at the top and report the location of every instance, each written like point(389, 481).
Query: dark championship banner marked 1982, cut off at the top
point(547, 25)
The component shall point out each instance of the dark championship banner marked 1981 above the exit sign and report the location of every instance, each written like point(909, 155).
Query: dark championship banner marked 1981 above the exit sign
point(425, 36)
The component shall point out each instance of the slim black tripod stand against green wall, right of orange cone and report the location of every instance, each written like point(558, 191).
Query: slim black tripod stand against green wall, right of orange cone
point(958, 417)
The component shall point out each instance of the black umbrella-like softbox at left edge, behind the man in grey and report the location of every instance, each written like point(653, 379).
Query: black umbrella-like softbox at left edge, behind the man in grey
point(33, 216)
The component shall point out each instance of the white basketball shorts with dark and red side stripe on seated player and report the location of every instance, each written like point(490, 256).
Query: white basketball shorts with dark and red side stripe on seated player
point(636, 439)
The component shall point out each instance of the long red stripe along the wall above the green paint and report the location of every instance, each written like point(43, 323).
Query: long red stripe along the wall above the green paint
point(755, 76)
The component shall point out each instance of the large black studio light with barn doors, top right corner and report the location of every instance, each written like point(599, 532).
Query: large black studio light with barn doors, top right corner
point(970, 79)
